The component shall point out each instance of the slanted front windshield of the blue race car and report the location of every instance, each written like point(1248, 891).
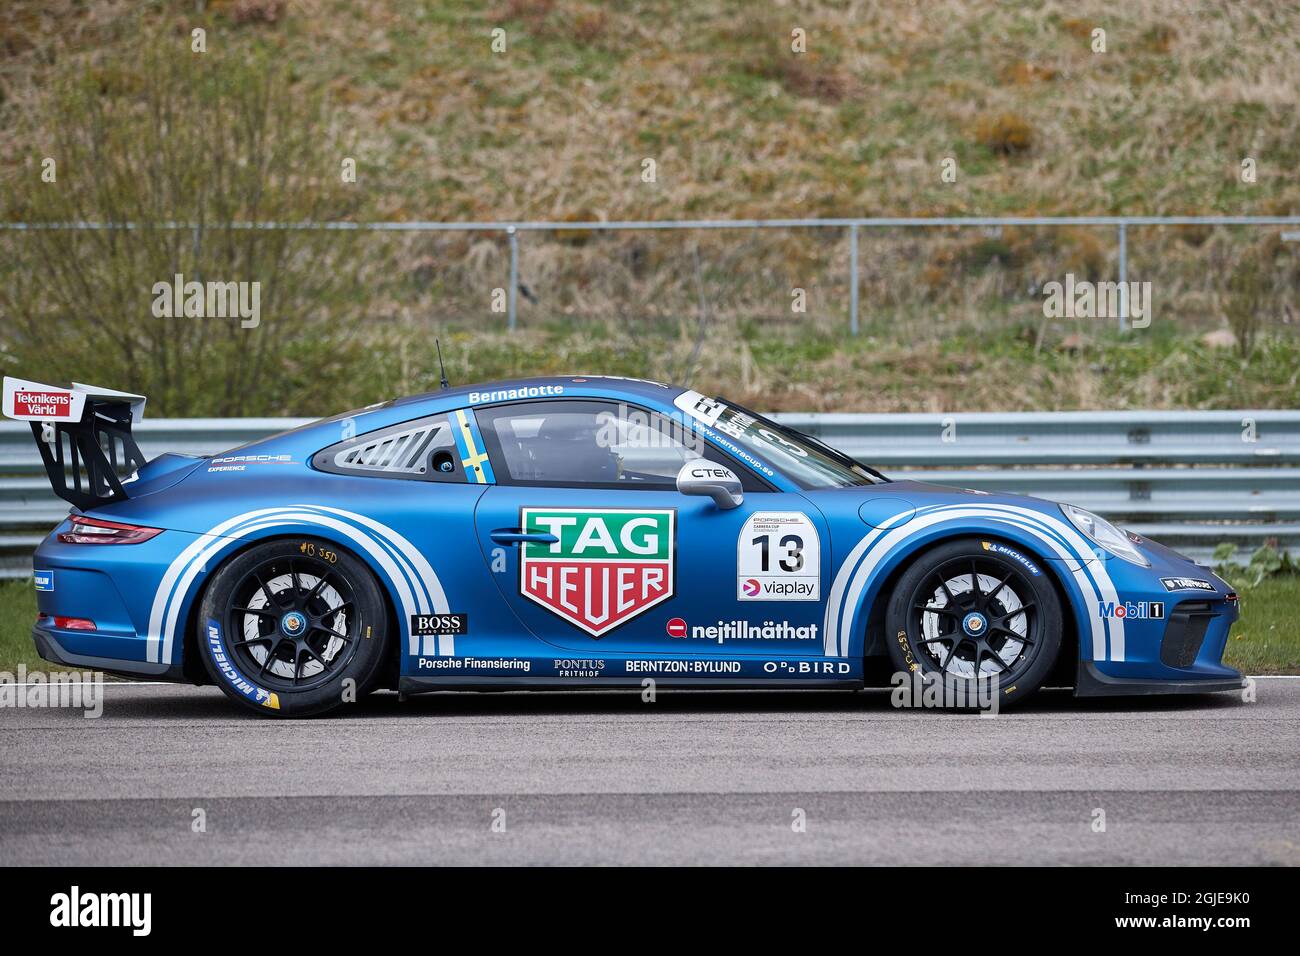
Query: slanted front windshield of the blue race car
point(809, 462)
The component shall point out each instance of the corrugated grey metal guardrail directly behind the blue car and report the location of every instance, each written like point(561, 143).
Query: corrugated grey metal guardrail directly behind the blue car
point(1190, 481)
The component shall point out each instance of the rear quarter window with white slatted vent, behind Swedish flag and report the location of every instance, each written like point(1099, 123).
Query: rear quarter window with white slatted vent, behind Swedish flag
point(423, 449)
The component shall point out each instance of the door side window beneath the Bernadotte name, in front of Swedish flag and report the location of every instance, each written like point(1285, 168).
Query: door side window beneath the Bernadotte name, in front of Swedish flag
point(584, 443)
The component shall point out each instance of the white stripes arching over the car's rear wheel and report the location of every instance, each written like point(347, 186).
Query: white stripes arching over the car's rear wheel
point(413, 578)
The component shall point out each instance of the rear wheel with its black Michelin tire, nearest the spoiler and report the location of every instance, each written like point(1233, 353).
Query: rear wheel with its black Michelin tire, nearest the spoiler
point(293, 629)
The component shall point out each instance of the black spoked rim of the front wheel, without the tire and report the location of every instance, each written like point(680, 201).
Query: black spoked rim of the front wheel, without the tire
point(976, 617)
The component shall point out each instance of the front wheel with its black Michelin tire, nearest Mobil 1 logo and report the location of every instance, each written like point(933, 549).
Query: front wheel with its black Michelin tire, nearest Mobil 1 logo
point(981, 617)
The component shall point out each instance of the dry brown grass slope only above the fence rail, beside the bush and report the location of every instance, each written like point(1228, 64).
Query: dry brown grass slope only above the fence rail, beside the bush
point(561, 123)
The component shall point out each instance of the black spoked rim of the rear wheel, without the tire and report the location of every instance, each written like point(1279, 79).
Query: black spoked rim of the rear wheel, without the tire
point(294, 624)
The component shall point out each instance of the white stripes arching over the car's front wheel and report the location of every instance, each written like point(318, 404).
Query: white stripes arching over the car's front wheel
point(853, 578)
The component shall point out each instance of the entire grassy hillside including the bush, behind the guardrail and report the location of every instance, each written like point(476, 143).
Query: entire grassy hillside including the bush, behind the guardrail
point(558, 127)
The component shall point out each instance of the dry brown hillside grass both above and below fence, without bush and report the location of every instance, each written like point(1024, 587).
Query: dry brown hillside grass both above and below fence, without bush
point(740, 127)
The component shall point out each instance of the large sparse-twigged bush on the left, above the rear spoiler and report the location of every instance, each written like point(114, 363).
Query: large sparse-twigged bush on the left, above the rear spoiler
point(196, 139)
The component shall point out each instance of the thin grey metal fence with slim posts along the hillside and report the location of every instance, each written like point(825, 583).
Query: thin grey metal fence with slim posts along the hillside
point(513, 231)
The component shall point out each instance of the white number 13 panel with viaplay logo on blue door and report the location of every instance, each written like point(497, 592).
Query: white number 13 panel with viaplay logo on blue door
point(779, 559)
